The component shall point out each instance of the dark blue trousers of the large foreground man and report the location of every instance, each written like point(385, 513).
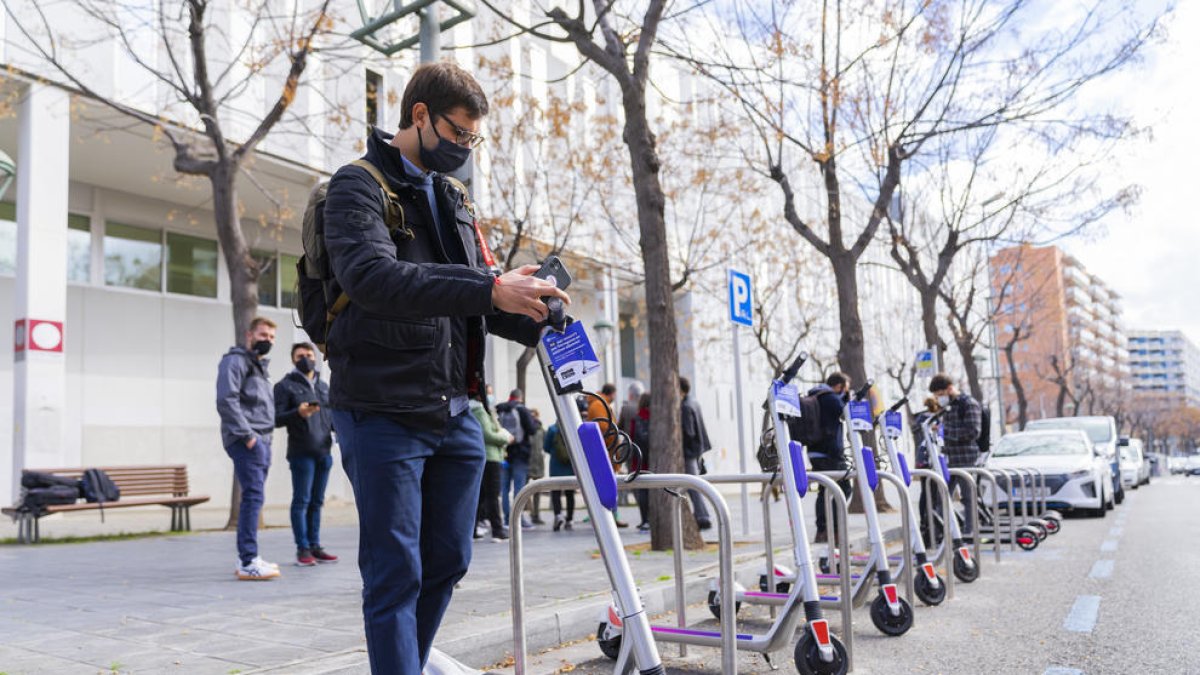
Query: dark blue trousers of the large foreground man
point(417, 493)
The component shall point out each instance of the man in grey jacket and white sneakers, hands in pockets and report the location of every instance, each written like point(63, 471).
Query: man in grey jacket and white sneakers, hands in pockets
point(247, 407)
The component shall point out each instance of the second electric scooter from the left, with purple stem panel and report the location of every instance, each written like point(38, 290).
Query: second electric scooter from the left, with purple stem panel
point(819, 652)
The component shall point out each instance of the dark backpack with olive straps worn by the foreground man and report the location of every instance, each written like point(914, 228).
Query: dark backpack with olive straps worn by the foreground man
point(316, 309)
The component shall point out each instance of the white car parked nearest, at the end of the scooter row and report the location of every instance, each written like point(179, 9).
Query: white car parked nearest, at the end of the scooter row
point(1077, 474)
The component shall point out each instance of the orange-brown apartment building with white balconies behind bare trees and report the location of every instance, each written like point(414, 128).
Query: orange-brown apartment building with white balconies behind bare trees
point(1061, 327)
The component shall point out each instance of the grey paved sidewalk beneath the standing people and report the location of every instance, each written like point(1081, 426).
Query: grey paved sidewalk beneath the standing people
point(172, 604)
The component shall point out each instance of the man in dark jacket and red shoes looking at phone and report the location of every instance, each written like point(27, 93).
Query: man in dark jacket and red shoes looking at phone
point(302, 404)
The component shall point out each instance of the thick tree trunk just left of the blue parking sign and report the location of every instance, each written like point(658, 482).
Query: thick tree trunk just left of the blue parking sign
point(665, 438)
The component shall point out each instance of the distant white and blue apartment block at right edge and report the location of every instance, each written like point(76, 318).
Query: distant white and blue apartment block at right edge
point(1166, 366)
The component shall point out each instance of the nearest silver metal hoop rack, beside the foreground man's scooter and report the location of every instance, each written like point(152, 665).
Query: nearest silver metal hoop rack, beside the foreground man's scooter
point(645, 481)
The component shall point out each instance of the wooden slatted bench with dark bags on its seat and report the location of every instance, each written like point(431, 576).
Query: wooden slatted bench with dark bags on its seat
point(141, 486)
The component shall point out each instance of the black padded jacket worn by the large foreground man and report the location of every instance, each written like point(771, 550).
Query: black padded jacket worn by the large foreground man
point(413, 337)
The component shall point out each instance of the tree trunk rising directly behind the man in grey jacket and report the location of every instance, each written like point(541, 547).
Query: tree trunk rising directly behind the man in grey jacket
point(243, 279)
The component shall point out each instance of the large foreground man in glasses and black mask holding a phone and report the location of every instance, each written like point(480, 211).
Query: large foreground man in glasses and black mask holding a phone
point(407, 353)
